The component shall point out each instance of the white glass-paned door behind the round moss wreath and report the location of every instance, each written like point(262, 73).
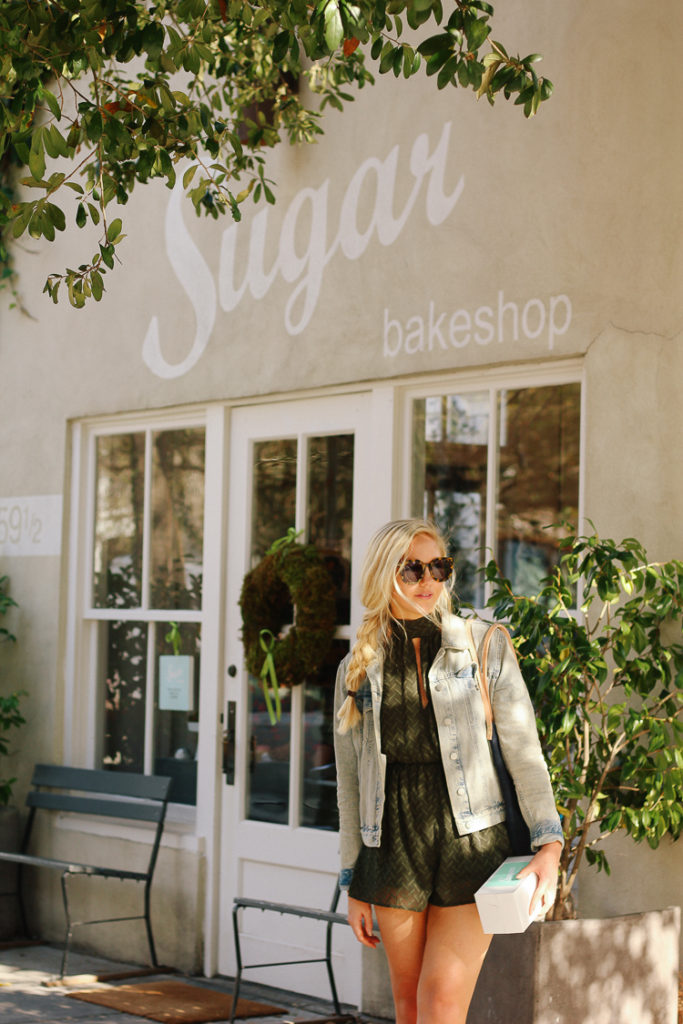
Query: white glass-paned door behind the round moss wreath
point(307, 465)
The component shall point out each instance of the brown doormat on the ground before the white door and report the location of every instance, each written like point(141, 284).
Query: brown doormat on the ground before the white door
point(175, 1003)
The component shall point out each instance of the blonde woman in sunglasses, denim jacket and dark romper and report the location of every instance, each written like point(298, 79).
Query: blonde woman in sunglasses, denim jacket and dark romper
point(421, 817)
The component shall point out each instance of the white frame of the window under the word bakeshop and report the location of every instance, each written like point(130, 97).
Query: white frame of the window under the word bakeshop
point(491, 380)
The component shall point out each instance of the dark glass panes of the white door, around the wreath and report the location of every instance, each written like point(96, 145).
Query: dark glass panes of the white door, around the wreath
point(321, 468)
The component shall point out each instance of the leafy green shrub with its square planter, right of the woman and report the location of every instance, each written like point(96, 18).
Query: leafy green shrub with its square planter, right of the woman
point(601, 650)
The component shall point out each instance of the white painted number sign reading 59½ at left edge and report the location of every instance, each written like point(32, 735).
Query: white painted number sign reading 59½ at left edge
point(31, 526)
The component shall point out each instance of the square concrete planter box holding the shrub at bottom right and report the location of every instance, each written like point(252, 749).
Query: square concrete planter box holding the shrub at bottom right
point(611, 971)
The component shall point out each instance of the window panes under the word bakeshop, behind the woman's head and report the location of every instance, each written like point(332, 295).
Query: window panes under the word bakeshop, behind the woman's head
point(498, 471)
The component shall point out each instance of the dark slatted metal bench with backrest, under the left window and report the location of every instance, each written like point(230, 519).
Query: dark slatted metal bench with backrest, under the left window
point(82, 791)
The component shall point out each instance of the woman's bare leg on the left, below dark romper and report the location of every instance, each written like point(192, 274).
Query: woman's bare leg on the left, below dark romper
point(404, 934)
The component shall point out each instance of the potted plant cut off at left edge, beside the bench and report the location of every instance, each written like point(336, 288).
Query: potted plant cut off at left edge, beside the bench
point(11, 718)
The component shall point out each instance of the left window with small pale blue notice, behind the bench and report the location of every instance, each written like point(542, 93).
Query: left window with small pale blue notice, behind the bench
point(145, 601)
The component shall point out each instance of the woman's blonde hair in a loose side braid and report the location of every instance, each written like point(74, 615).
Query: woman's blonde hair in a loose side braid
point(378, 587)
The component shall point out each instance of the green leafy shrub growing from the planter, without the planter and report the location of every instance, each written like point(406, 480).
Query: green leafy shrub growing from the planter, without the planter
point(608, 687)
